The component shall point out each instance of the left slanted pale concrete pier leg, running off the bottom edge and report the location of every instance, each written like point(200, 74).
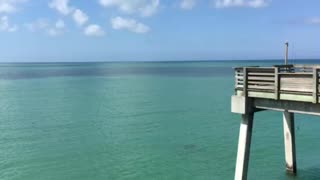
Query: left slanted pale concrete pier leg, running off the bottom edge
point(244, 146)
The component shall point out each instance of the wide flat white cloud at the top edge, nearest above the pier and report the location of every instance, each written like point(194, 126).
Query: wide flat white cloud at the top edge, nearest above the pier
point(241, 3)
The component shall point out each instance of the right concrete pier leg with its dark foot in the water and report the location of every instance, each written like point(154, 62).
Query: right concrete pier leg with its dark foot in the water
point(289, 142)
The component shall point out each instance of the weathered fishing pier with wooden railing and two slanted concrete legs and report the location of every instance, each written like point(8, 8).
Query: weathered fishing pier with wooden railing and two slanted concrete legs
point(287, 88)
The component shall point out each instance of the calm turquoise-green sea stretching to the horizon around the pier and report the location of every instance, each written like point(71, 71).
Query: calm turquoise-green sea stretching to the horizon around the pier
point(96, 121)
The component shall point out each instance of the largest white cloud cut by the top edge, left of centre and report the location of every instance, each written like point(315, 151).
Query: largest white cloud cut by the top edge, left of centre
point(143, 7)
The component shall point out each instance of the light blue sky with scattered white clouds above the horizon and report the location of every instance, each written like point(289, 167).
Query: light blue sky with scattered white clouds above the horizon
point(155, 30)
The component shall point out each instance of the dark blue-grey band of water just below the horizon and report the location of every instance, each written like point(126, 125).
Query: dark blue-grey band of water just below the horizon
point(26, 73)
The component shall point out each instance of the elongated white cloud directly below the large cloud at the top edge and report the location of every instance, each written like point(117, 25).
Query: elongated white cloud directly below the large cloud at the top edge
point(129, 24)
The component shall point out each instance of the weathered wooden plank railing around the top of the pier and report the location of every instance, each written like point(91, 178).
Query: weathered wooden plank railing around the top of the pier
point(280, 82)
